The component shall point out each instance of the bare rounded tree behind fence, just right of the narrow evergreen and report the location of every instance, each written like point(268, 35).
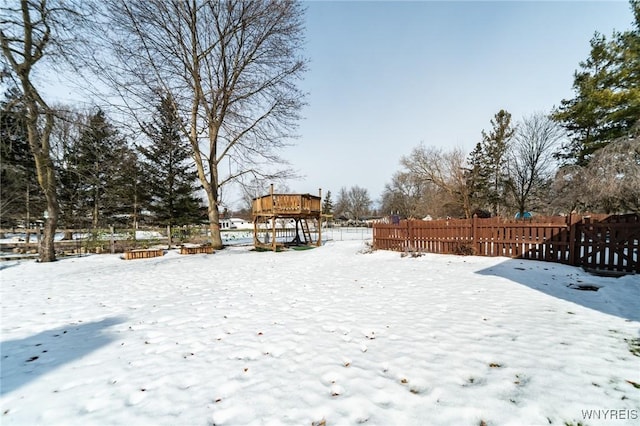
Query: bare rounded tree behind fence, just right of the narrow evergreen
point(530, 162)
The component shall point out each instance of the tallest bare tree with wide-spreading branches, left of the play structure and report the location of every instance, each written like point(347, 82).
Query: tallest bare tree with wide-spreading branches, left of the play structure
point(231, 66)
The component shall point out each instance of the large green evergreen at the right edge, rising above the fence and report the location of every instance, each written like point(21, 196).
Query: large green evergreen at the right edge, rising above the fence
point(607, 95)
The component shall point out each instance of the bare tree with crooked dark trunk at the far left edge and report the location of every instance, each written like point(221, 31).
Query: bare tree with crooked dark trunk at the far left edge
point(31, 32)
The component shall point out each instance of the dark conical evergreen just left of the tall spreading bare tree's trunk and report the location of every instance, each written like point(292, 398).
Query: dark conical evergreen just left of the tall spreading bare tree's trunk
point(170, 172)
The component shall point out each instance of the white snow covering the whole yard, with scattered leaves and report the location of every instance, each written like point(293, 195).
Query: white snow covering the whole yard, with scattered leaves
point(333, 335)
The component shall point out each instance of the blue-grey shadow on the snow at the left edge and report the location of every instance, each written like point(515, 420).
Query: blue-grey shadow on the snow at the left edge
point(27, 359)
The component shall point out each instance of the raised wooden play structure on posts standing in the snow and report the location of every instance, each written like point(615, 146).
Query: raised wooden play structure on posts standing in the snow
point(284, 220)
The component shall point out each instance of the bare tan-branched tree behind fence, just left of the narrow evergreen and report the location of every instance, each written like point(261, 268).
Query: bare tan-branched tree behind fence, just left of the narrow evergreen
point(444, 169)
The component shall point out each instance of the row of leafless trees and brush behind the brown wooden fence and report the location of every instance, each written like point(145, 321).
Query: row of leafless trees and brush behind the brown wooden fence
point(440, 183)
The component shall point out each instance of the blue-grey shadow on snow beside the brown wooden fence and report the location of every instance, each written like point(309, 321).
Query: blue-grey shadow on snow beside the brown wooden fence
point(613, 296)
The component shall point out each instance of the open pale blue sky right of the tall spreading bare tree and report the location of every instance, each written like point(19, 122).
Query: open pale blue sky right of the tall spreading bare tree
point(386, 76)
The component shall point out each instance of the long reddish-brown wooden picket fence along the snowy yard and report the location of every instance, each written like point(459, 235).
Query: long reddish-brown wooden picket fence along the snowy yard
point(602, 242)
